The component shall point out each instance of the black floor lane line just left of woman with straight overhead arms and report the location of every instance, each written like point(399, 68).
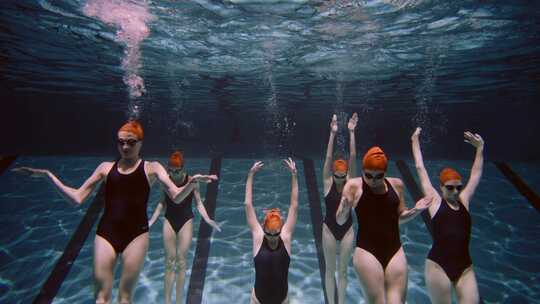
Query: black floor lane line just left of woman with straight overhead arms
point(316, 218)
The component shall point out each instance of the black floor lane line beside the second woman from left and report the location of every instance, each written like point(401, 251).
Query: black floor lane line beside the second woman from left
point(200, 259)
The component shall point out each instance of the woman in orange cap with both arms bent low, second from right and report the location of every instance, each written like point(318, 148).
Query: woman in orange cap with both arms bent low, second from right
point(379, 204)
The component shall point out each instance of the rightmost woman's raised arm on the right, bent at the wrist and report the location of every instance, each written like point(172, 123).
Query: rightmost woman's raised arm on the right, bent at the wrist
point(477, 168)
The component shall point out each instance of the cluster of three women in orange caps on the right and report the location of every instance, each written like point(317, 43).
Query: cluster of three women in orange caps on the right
point(379, 204)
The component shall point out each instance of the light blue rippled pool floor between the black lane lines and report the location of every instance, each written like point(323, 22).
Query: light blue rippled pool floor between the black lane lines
point(38, 224)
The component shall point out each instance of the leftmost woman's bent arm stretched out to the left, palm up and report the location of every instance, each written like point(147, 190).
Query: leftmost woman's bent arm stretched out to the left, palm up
point(77, 196)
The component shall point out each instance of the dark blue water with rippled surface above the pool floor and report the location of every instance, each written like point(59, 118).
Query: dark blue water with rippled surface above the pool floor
point(244, 76)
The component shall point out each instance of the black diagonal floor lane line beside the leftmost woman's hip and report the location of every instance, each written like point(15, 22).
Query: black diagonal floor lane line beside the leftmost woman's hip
point(52, 285)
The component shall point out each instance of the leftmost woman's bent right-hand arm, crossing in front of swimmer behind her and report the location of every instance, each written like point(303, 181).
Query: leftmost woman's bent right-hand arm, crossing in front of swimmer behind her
point(177, 194)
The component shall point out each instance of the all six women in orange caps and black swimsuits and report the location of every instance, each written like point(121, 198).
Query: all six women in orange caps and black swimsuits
point(377, 200)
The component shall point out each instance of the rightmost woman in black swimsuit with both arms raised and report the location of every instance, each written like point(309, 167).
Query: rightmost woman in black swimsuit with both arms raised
point(449, 264)
